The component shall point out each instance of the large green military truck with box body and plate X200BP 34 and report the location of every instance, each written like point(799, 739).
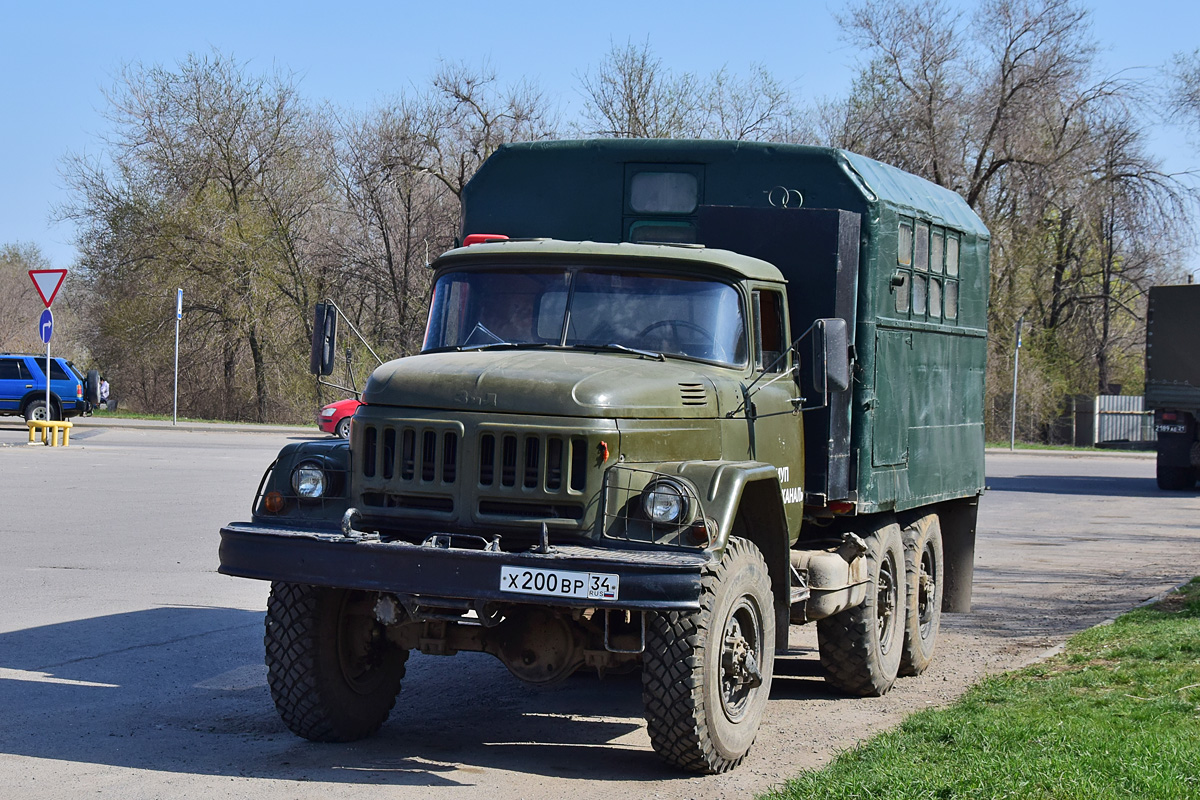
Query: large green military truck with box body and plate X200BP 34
point(674, 398)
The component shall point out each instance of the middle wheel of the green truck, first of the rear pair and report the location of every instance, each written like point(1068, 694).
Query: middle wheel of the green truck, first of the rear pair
point(861, 647)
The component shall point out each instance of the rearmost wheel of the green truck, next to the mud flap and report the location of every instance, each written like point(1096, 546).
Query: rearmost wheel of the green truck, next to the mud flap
point(925, 567)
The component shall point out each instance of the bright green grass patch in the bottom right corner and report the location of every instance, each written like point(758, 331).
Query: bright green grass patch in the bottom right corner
point(1117, 715)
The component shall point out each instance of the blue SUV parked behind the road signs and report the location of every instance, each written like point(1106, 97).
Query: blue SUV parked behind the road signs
point(23, 388)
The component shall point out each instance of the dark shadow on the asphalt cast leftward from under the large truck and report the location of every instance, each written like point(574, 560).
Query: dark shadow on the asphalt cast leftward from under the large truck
point(184, 690)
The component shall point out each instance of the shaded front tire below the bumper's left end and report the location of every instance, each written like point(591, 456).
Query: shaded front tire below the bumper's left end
point(333, 673)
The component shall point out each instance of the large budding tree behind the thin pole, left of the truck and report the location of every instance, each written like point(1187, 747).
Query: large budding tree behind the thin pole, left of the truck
point(209, 184)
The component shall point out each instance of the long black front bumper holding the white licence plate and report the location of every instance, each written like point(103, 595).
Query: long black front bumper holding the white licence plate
point(650, 579)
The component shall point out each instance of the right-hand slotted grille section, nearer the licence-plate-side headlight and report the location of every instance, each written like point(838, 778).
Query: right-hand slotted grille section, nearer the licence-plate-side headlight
point(533, 461)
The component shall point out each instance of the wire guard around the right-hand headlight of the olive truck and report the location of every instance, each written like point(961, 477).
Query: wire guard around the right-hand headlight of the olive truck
point(626, 520)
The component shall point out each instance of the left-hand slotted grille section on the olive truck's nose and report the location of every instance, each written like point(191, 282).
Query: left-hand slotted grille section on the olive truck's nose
point(411, 454)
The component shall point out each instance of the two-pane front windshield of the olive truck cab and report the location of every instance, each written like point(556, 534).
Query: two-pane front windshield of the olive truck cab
point(688, 317)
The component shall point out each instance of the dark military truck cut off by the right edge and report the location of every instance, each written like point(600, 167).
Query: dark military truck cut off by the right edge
point(1173, 382)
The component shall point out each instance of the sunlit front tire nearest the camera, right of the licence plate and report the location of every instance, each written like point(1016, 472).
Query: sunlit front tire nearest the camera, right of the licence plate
point(698, 720)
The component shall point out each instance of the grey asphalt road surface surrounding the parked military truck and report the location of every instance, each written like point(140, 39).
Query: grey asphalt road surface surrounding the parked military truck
point(130, 669)
